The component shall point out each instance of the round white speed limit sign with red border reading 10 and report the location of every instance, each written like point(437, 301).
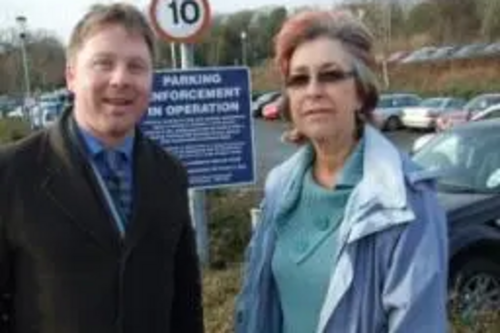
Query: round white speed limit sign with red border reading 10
point(180, 20)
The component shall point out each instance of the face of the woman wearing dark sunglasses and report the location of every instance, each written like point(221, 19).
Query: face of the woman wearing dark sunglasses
point(322, 90)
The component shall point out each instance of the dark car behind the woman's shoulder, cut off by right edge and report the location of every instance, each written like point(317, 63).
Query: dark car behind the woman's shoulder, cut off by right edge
point(468, 159)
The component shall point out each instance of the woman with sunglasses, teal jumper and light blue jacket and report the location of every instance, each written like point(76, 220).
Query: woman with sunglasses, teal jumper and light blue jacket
point(351, 238)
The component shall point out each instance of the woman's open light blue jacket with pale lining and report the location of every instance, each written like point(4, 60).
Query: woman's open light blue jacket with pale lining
point(391, 272)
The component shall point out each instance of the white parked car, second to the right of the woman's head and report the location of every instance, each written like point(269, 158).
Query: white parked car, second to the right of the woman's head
point(425, 114)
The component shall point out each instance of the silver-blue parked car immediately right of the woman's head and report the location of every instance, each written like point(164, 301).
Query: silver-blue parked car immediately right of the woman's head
point(387, 114)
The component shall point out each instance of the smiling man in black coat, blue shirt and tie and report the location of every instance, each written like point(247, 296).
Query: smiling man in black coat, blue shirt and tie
point(95, 234)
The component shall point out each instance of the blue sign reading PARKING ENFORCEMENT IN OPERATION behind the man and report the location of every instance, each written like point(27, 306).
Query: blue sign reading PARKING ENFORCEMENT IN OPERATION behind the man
point(202, 116)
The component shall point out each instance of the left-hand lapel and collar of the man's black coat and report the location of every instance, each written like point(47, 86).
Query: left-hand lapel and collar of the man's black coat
point(71, 186)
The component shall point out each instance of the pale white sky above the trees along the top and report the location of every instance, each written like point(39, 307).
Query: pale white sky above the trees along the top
point(60, 16)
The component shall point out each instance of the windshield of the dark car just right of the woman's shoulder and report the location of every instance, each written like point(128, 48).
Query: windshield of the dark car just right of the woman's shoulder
point(467, 160)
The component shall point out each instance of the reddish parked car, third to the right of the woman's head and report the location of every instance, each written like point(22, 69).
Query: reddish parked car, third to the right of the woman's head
point(473, 107)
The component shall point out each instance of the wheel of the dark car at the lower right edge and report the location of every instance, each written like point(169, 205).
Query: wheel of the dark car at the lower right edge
point(475, 287)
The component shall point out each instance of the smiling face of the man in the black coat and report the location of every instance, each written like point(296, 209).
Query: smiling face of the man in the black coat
point(111, 78)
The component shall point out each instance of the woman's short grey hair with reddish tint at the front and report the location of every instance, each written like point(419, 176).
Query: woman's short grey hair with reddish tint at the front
point(337, 25)
